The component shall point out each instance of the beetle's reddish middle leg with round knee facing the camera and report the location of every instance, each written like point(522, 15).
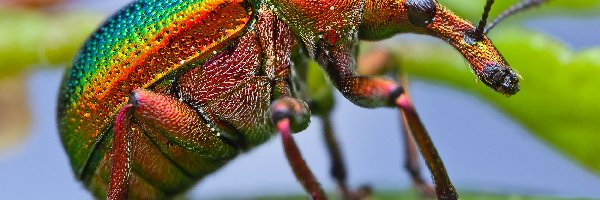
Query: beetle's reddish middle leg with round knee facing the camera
point(285, 112)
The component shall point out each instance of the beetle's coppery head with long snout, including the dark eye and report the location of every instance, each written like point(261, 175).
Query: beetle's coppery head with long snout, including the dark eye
point(486, 61)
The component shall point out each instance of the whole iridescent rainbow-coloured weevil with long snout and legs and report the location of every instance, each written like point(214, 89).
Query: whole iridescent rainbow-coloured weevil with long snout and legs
point(168, 91)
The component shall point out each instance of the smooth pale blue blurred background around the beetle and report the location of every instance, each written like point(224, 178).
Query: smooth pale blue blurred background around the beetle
point(483, 150)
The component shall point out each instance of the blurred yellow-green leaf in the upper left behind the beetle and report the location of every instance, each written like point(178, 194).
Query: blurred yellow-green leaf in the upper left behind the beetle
point(30, 38)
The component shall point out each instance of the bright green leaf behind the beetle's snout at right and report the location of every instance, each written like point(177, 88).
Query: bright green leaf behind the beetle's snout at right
point(558, 101)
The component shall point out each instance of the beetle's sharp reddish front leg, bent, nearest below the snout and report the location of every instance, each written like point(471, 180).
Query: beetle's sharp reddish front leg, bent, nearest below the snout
point(367, 91)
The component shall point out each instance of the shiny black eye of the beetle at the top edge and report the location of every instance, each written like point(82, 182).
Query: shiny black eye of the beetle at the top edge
point(420, 12)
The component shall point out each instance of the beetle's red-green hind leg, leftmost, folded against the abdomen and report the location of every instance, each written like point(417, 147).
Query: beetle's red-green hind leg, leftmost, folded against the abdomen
point(177, 123)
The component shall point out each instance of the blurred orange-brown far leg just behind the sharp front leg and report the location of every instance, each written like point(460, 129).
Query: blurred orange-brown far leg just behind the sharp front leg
point(377, 61)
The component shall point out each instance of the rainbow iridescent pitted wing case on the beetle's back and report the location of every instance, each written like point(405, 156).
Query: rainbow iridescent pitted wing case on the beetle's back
point(141, 46)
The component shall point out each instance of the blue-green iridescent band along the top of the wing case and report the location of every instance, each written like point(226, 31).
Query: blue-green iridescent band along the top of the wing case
point(118, 38)
